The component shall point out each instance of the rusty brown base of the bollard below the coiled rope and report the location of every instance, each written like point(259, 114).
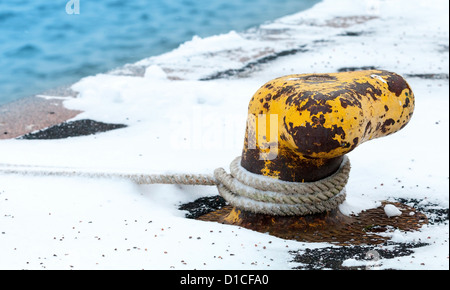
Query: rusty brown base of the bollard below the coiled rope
point(332, 227)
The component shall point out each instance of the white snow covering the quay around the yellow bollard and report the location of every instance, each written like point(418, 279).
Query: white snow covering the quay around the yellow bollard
point(179, 123)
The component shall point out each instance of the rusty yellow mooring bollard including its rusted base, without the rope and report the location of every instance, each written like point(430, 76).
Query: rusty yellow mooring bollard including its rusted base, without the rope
point(299, 128)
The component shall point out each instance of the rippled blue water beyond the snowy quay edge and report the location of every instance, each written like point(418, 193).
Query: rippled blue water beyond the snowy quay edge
point(43, 47)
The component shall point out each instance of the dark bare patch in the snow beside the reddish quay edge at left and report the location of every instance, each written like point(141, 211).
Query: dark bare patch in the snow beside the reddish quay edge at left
point(72, 129)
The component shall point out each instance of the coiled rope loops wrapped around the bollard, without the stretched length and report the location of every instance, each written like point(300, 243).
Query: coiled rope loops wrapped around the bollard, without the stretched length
point(261, 194)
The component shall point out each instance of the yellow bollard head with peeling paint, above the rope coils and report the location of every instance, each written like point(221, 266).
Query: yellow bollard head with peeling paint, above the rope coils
point(300, 126)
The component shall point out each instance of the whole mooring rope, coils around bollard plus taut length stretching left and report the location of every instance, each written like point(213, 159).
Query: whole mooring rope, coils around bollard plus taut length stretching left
point(240, 188)
